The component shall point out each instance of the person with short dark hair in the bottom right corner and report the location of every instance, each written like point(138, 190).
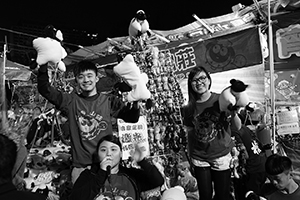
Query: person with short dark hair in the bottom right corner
point(282, 186)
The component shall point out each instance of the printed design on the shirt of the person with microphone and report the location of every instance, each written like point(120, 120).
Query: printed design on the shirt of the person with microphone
point(113, 195)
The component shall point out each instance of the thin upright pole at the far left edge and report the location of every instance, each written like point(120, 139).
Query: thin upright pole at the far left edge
point(2, 89)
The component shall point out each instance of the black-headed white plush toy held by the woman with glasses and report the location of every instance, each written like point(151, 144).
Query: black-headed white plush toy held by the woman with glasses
point(234, 96)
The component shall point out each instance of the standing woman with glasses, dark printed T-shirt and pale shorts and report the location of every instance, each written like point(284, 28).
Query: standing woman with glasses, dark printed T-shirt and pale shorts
point(209, 139)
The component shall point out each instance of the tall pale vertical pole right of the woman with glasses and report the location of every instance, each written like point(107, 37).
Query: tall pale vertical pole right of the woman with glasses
point(272, 87)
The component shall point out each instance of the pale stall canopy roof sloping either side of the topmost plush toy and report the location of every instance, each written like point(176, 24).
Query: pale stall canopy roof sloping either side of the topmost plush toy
point(188, 34)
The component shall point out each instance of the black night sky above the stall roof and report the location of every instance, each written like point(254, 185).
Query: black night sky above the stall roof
point(111, 19)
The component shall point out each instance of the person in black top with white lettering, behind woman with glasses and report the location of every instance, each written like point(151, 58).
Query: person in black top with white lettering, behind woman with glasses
point(254, 163)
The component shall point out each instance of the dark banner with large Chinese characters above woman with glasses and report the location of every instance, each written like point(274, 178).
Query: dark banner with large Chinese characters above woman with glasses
point(233, 51)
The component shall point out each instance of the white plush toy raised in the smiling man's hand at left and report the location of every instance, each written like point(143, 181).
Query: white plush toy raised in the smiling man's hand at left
point(49, 49)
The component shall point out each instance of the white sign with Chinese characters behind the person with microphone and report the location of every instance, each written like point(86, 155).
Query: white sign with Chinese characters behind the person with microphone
point(132, 134)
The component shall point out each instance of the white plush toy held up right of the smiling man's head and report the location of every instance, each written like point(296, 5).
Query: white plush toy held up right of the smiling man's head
point(130, 72)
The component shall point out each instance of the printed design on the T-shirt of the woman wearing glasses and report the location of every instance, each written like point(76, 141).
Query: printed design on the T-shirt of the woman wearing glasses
point(207, 125)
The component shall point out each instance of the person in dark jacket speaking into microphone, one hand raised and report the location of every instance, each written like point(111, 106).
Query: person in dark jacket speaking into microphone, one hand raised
point(108, 179)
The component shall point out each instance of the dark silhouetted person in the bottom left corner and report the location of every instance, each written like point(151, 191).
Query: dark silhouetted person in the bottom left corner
point(8, 158)
